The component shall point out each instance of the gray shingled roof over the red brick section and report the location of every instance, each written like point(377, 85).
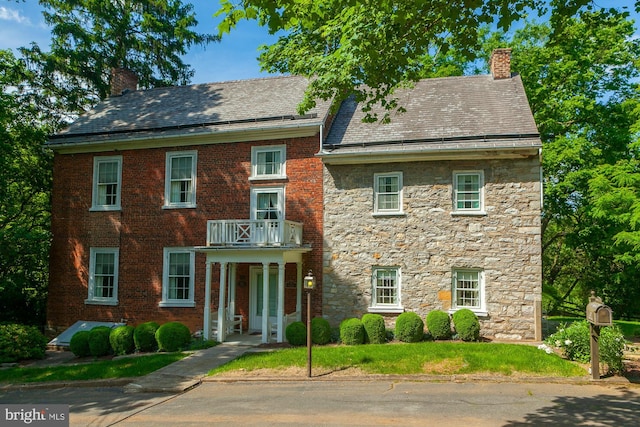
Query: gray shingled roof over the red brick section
point(234, 105)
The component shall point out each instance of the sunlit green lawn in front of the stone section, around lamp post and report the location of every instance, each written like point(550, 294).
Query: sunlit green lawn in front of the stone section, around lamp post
point(418, 358)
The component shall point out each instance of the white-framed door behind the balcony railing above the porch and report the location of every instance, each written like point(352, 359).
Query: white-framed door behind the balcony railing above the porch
point(267, 204)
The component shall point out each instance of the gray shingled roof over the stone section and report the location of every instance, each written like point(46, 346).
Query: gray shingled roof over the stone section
point(458, 111)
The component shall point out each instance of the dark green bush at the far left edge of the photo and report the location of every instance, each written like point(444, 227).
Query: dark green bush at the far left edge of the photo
point(19, 342)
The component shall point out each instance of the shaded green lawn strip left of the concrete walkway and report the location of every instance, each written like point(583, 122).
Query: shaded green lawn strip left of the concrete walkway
point(120, 368)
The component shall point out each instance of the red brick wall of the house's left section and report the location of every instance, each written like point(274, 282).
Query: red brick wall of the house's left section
point(142, 228)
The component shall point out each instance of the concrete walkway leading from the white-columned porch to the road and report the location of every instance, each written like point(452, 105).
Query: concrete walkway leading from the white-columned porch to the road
point(189, 372)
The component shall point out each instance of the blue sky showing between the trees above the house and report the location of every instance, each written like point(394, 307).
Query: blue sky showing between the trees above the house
point(234, 58)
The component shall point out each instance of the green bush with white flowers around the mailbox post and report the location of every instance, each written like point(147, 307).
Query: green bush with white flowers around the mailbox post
point(574, 341)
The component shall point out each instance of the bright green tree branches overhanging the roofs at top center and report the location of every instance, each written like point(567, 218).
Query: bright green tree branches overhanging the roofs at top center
point(367, 48)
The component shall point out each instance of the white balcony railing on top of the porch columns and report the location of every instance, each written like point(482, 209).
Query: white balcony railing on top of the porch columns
point(246, 232)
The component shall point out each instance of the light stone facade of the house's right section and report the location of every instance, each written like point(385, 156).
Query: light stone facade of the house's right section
point(427, 242)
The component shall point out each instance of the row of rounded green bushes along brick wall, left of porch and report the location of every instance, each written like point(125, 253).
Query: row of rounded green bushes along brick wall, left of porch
point(146, 337)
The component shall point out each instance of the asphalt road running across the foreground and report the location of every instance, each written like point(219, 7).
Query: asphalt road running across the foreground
point(348, 403)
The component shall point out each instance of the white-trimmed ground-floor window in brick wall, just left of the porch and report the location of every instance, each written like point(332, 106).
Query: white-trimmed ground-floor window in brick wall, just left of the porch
point(178, 278)
